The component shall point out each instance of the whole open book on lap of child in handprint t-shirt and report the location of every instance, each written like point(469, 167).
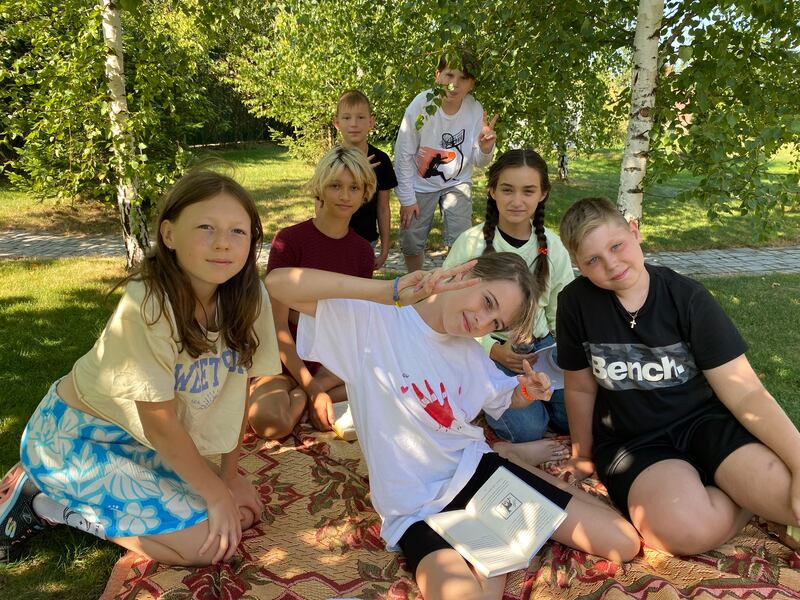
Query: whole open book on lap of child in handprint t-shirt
point(502, 527)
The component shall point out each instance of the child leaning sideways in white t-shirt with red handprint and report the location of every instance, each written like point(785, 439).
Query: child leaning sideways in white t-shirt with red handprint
point(416, 378)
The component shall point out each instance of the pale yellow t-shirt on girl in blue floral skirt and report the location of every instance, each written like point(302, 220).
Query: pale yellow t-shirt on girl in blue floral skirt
point(136, 362)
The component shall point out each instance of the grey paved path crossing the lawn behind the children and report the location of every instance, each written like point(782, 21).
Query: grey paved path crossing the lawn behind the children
point(17, 244)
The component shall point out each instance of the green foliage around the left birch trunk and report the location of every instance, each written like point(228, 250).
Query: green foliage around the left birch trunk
point(54, 100)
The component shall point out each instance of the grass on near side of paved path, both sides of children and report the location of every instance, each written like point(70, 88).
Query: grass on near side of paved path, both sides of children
point(52, 311)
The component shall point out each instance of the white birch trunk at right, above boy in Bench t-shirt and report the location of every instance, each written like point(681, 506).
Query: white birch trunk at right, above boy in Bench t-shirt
point(640, 119)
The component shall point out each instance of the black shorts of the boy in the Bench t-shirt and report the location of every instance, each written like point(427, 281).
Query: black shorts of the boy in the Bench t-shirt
point(703, 441)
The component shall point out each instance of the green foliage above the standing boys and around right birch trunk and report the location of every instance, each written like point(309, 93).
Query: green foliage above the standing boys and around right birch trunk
point(557, 74)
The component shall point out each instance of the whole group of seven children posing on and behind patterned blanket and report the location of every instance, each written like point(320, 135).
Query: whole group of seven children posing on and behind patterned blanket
point(658, 395)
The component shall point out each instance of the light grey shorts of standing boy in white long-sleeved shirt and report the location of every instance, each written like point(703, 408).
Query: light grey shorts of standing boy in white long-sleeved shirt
point(456, 205)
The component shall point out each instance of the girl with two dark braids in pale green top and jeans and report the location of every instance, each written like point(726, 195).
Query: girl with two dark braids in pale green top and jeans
point(518, 189)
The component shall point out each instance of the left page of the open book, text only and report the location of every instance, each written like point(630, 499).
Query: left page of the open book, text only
point(476, 542)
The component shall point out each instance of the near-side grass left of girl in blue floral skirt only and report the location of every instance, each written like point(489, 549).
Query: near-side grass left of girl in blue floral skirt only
point(50, 314)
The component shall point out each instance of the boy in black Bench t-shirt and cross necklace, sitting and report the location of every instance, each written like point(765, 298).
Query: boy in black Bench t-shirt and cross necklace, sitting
point(661, 399)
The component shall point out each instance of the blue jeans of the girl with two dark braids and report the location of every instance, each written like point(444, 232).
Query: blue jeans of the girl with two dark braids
point(530, 423)
